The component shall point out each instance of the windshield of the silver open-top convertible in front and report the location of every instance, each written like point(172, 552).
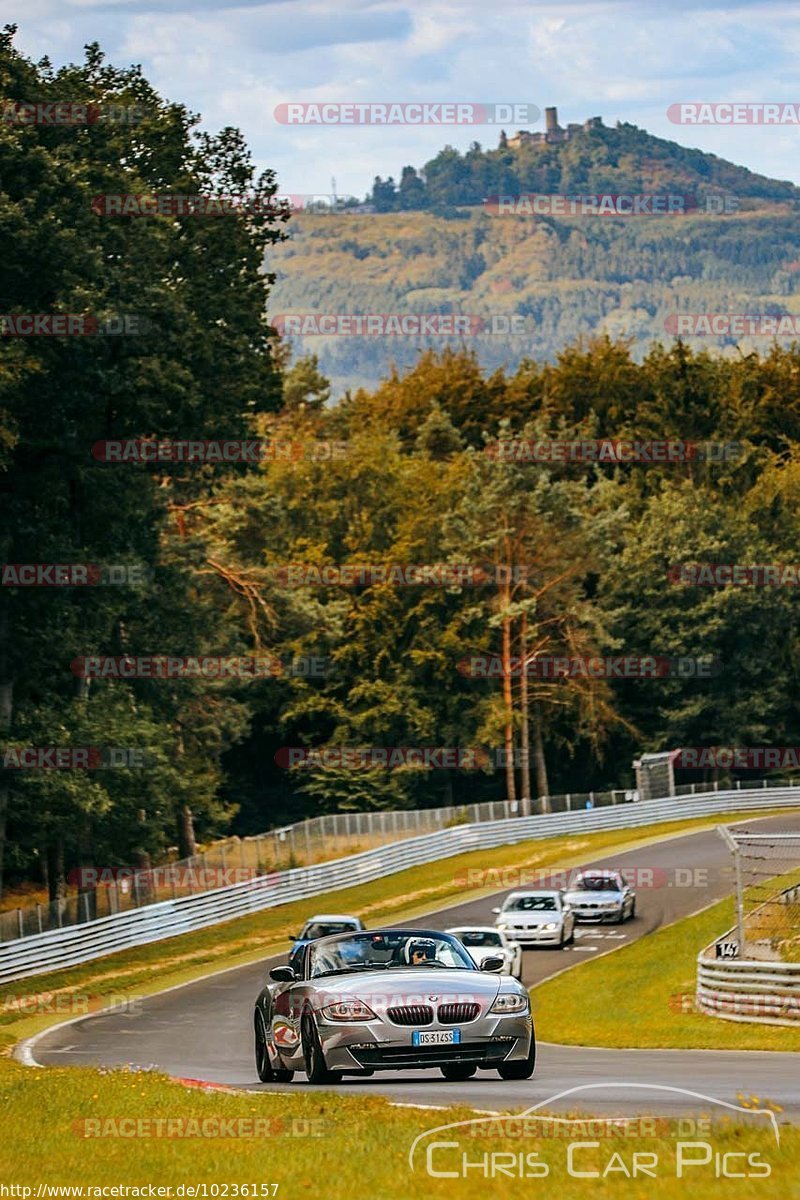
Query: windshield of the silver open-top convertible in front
point(396, 949)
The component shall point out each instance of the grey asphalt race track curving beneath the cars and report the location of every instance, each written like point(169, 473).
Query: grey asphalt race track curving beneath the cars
point(204, 1030)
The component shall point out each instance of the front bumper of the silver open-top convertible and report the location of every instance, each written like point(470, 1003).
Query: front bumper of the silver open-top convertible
point(380, 1046)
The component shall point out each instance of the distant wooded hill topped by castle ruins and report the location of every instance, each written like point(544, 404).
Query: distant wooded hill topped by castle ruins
point(566, 277)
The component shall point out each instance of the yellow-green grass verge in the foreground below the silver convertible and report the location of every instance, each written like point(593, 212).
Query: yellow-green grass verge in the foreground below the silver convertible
point(88, 1130)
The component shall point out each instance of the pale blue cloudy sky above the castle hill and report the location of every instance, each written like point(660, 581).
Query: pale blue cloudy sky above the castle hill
point(233, 62)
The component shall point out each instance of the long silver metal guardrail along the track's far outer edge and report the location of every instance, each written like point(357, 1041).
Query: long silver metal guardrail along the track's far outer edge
point(80, 944)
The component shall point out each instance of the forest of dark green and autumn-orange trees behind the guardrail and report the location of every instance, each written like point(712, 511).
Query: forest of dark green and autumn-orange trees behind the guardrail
point(413, 482)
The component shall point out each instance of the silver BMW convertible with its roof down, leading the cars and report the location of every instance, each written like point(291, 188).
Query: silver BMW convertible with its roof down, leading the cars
point(393, 1000)
